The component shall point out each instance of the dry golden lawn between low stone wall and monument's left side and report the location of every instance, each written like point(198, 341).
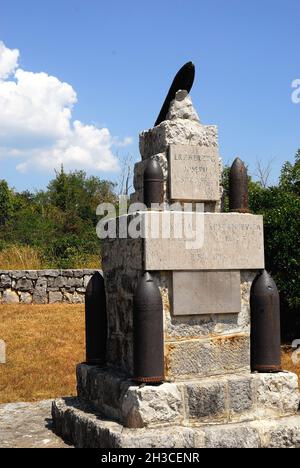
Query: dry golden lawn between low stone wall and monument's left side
point(44, 343)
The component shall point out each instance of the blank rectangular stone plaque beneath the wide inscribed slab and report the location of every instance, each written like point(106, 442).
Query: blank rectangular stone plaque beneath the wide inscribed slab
point(206, 292)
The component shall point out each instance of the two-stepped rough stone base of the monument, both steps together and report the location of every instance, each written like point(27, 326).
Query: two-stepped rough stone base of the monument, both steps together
point(233, 410)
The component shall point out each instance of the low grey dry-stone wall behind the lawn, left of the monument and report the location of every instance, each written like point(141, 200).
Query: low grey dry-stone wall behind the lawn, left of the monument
point(43, 286)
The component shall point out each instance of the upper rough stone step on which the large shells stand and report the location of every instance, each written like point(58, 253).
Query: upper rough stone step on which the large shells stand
point(223, 399)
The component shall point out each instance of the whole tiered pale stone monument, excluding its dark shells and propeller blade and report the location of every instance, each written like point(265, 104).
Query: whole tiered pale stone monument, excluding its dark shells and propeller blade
point(209, 397)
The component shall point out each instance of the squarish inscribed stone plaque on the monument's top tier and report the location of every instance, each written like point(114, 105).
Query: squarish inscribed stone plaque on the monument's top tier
point(194, 173)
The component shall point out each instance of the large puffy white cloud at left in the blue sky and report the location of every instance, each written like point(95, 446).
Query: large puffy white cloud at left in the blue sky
point(36, 123)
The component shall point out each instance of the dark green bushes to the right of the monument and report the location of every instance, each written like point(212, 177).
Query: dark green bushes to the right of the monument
point(280, 207)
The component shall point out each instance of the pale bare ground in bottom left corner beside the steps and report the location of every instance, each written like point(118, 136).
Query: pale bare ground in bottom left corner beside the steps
point(27, 425)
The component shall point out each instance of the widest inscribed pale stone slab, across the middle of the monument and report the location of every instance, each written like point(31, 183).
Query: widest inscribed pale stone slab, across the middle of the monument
point(222, 241)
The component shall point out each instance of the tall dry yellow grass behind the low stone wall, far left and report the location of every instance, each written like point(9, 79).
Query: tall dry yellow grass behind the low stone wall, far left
point(20, 258)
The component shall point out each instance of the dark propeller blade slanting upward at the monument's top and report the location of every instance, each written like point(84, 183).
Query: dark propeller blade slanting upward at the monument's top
point(183, 80)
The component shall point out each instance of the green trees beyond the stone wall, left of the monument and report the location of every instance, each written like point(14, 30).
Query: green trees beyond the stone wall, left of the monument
point(59, 222)
